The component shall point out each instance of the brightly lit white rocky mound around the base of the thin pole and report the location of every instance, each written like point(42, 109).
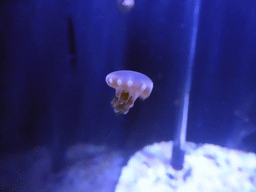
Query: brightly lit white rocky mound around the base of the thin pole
point(207, 167)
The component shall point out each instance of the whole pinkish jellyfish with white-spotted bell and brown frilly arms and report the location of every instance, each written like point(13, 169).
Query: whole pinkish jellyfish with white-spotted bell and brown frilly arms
point(129, 85)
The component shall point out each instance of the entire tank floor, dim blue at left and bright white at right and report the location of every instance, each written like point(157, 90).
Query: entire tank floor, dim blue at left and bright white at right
point(93, 168)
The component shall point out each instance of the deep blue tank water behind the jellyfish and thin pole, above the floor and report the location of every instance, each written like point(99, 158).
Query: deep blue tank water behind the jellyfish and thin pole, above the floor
point(55, 54)
